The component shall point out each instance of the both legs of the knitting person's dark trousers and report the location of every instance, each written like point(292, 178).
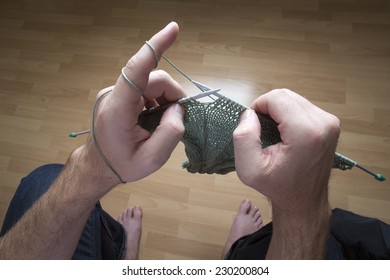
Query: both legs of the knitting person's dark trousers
point(352, 236)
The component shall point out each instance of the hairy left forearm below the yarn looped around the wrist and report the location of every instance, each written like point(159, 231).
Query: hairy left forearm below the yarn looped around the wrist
point(53, 225)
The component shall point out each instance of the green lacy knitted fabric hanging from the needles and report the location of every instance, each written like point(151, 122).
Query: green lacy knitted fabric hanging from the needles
point(208, 137)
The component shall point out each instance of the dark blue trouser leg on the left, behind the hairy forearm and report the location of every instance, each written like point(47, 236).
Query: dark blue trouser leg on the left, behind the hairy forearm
point(102, 236)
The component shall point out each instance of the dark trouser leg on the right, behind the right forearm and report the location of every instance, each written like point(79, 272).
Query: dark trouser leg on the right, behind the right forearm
point(352, 237)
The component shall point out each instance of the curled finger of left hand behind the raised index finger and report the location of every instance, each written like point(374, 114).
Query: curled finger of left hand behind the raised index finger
point(163, 87)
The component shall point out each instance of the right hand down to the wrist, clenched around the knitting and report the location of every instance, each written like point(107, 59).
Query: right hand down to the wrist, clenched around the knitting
point(294, 173)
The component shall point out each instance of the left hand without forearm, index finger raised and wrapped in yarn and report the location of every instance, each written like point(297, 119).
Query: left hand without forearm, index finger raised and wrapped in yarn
point(132, 151)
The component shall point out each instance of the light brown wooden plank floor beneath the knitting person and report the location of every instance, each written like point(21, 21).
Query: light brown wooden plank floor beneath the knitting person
point(56, 55)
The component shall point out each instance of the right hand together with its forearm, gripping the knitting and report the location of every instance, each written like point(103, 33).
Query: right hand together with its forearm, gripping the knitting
point(293, 174)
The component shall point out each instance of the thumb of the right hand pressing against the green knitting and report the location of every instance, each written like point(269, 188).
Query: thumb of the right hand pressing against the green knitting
point(247, 148)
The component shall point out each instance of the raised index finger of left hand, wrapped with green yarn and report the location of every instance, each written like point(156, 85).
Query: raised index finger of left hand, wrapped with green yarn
point(142, 63)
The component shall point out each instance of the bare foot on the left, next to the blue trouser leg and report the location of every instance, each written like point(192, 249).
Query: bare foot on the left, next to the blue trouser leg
point(131, 220)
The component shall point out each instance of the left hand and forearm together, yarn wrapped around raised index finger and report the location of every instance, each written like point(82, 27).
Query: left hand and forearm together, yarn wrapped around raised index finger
point(132, 151)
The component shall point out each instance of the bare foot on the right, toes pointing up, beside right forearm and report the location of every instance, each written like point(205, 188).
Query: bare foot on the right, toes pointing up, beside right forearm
point(247, 221)
